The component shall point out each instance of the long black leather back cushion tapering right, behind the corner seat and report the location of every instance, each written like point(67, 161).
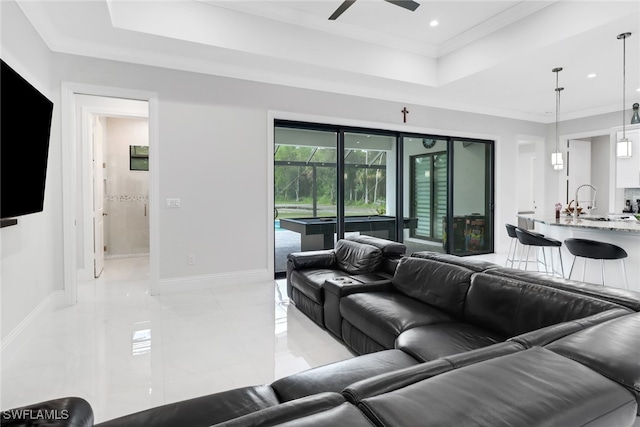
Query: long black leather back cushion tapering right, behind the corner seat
point(512, 307)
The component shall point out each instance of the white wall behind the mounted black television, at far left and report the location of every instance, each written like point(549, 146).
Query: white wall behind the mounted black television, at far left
point(31, 251)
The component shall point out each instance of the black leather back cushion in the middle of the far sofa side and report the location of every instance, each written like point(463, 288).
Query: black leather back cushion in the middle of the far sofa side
point(441, 285)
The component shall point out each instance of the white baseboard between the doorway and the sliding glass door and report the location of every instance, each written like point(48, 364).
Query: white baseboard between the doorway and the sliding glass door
point(212, 281)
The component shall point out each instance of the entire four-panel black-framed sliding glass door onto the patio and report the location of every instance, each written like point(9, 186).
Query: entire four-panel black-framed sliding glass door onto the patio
point(330, 181)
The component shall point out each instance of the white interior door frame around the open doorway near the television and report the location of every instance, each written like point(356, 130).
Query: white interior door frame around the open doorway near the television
point(71, 151)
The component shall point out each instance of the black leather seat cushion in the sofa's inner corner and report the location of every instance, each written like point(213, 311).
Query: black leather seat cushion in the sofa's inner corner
point(431, 342)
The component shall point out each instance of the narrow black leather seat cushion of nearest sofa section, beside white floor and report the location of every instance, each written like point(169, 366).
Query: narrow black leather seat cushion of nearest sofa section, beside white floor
point(334, 377)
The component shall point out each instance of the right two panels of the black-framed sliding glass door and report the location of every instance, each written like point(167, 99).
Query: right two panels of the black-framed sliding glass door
point(448, 189)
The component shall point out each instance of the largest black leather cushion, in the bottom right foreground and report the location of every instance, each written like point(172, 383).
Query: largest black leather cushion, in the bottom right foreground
point(527, 388)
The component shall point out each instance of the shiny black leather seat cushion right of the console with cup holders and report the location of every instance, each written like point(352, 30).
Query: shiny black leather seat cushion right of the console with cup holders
point(382, 316)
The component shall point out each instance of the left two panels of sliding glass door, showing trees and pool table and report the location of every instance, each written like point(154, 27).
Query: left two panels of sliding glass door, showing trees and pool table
point(329, 182)
